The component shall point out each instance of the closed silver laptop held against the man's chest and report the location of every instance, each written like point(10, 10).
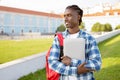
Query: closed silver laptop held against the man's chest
point(74, 48)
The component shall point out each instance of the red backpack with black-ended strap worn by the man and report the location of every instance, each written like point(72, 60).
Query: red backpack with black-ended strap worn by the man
point(51, 74)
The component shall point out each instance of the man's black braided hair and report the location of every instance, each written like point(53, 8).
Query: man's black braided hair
point(78, 10)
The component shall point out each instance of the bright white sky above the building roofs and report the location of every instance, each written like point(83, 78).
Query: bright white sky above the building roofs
point(56, 6)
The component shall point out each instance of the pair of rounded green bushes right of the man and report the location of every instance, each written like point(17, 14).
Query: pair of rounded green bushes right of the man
point(97, 27)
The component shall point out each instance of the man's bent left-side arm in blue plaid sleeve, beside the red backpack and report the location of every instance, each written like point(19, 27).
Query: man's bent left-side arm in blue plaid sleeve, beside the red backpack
point(54, 62)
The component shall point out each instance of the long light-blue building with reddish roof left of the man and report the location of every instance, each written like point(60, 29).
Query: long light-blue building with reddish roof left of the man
point(19, 21)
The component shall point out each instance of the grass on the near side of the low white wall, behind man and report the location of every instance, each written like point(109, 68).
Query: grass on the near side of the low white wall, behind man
point(110, 62)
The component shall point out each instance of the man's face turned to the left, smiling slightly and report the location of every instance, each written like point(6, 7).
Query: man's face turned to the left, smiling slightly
point(71, 18)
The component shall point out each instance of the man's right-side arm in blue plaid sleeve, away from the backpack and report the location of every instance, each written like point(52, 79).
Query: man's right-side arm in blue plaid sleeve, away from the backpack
point(94, 58)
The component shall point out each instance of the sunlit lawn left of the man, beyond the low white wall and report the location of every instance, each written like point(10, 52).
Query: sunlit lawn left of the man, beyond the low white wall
point(14, 49)
